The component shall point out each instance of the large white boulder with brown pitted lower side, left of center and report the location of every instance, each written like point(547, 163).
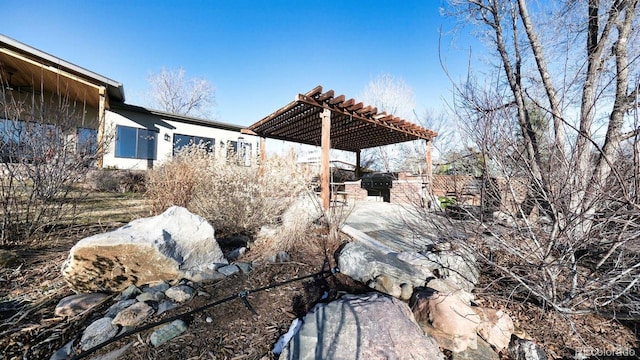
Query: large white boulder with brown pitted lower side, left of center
point(173, 245)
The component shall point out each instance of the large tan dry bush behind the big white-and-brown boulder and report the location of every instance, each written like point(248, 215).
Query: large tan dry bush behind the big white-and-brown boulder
point(234, 198)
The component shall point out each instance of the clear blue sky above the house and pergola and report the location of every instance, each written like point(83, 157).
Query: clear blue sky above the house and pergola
point(258, 54)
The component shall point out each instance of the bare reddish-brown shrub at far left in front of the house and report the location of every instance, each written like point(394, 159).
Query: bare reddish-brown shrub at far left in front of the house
point(42, 158)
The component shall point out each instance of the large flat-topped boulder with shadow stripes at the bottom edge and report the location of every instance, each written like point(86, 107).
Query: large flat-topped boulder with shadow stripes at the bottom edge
point(370, 326)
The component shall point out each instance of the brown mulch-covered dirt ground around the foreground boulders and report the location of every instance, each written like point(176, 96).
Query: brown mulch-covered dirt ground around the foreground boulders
point(31, 287)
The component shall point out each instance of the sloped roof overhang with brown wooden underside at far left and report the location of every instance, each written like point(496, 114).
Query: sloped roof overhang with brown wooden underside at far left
point(32, 70)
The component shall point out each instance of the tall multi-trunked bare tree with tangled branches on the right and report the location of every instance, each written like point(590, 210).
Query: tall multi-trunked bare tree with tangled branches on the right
point(557, 122)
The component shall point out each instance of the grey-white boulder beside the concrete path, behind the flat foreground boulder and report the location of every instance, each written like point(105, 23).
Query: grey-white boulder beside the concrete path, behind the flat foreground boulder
point(385, 272)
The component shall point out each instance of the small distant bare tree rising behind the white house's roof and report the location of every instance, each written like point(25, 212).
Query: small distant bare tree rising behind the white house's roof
point(172, 92)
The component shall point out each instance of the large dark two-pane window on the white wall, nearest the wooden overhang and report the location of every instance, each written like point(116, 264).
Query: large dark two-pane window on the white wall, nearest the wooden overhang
point(136, 143)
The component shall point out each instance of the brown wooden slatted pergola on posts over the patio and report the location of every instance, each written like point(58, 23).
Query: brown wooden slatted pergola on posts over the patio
point(331, 121)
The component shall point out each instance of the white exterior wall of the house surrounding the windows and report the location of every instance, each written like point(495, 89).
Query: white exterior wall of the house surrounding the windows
point(165, 129)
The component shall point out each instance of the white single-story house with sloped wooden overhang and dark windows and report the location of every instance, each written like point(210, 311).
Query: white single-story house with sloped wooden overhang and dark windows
point(97, 116)
